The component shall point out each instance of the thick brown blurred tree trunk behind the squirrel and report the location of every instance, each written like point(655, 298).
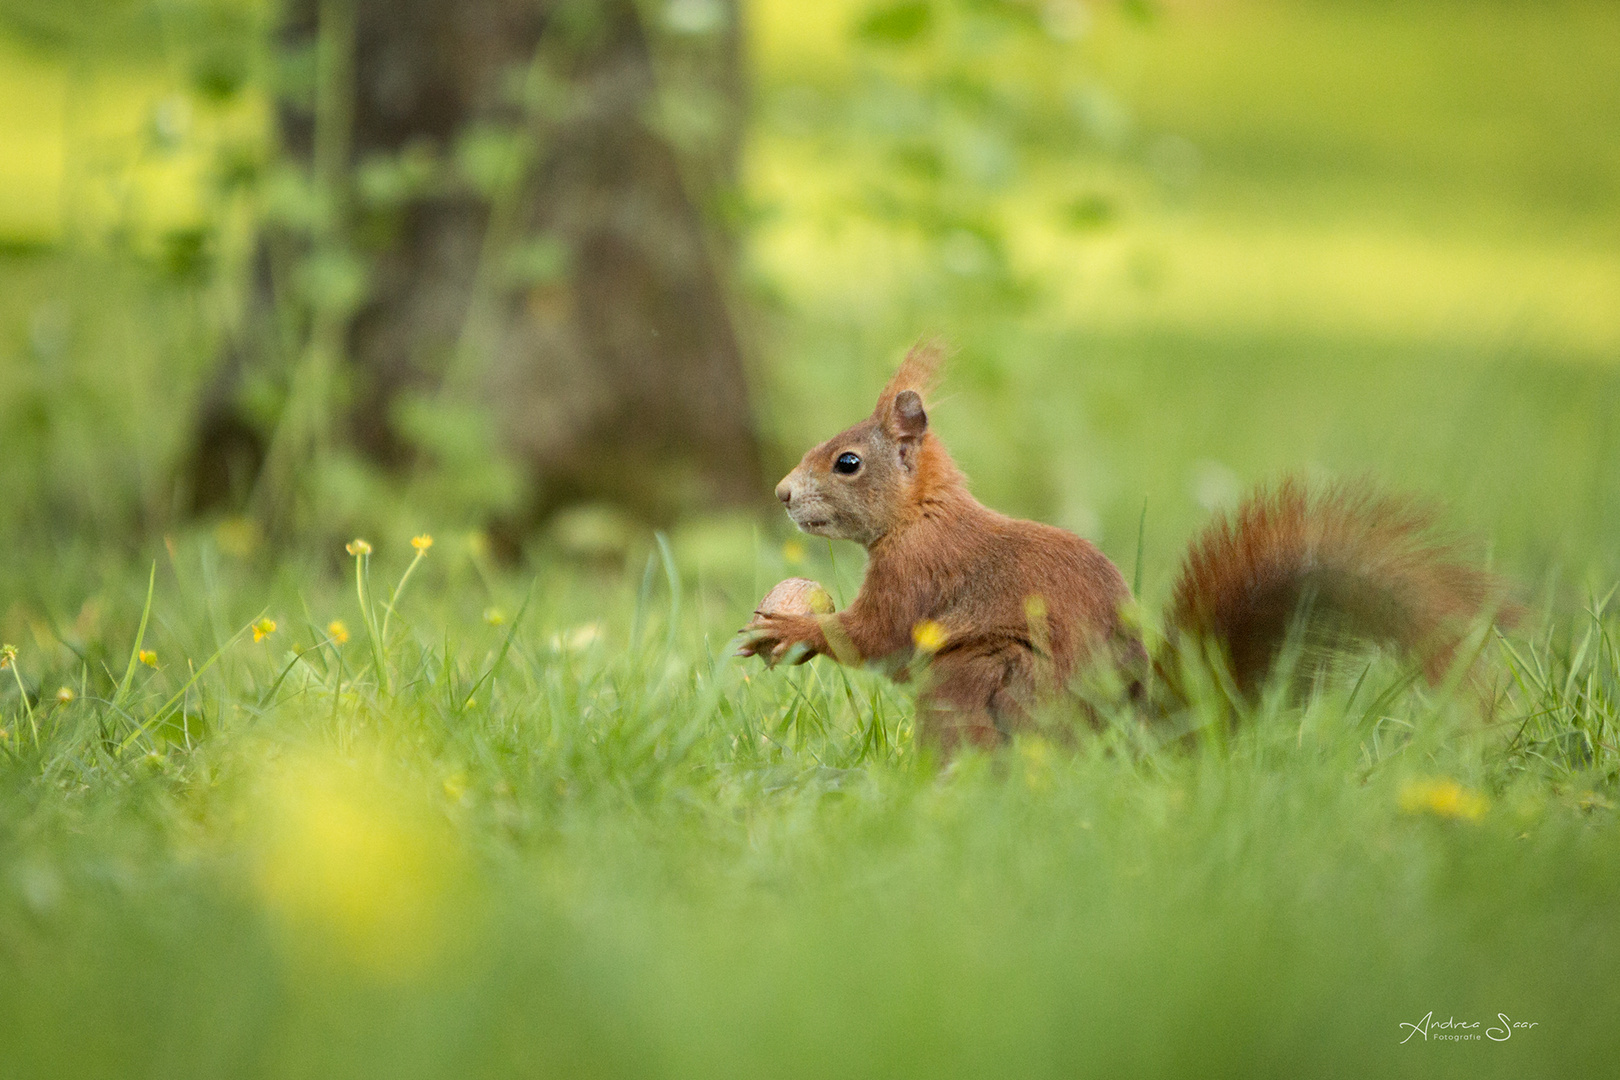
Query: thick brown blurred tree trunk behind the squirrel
point(618, 378)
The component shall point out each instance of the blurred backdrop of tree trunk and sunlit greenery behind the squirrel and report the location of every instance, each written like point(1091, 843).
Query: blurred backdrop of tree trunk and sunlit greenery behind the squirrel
point(565, 271)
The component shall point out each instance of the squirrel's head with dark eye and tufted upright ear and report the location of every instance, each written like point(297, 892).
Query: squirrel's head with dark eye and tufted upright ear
point(861, 483)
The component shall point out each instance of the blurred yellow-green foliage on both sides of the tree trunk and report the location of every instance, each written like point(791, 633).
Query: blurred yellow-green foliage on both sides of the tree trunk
point(1170, 244)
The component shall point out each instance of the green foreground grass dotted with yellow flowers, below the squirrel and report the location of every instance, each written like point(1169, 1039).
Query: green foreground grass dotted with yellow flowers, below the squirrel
point(586, 843)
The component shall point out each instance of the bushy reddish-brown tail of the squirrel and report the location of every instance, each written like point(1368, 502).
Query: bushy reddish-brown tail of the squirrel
point(1347, 561)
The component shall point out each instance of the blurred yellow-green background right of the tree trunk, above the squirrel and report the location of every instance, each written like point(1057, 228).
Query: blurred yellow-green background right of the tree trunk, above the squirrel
point(1232, 240)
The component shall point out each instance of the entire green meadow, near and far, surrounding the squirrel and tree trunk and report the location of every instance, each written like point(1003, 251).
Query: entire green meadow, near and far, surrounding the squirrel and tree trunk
point(406, 810)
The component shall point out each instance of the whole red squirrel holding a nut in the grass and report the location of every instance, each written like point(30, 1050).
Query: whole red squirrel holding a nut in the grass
point(1007, 613)
